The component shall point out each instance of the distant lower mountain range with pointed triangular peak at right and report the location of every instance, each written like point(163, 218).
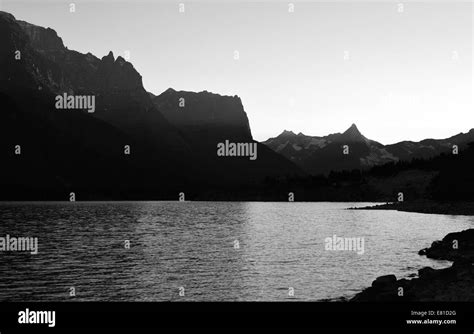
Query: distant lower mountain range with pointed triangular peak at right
point(320, 155)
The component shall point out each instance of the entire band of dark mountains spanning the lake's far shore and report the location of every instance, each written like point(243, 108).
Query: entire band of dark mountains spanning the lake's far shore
point(172, 139)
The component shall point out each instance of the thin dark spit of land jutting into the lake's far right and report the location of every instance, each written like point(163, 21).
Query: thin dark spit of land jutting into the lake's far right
point(420, 206)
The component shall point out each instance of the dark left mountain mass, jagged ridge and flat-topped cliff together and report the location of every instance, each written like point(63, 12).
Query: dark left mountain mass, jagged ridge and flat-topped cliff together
point(73, 150)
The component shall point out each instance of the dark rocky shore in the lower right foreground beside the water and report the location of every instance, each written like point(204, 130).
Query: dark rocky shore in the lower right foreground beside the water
point(455, 283)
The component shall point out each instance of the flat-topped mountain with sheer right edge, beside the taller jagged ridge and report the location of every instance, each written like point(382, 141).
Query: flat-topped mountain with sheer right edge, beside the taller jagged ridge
point(207, 120)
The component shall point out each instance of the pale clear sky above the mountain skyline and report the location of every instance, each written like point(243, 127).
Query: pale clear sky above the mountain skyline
point(398, 73)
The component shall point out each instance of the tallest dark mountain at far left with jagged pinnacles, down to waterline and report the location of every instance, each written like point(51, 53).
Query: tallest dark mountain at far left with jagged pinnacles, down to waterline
point(72, 150)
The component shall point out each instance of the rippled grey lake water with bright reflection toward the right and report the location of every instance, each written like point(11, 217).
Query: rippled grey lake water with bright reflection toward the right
point(192, 245)
